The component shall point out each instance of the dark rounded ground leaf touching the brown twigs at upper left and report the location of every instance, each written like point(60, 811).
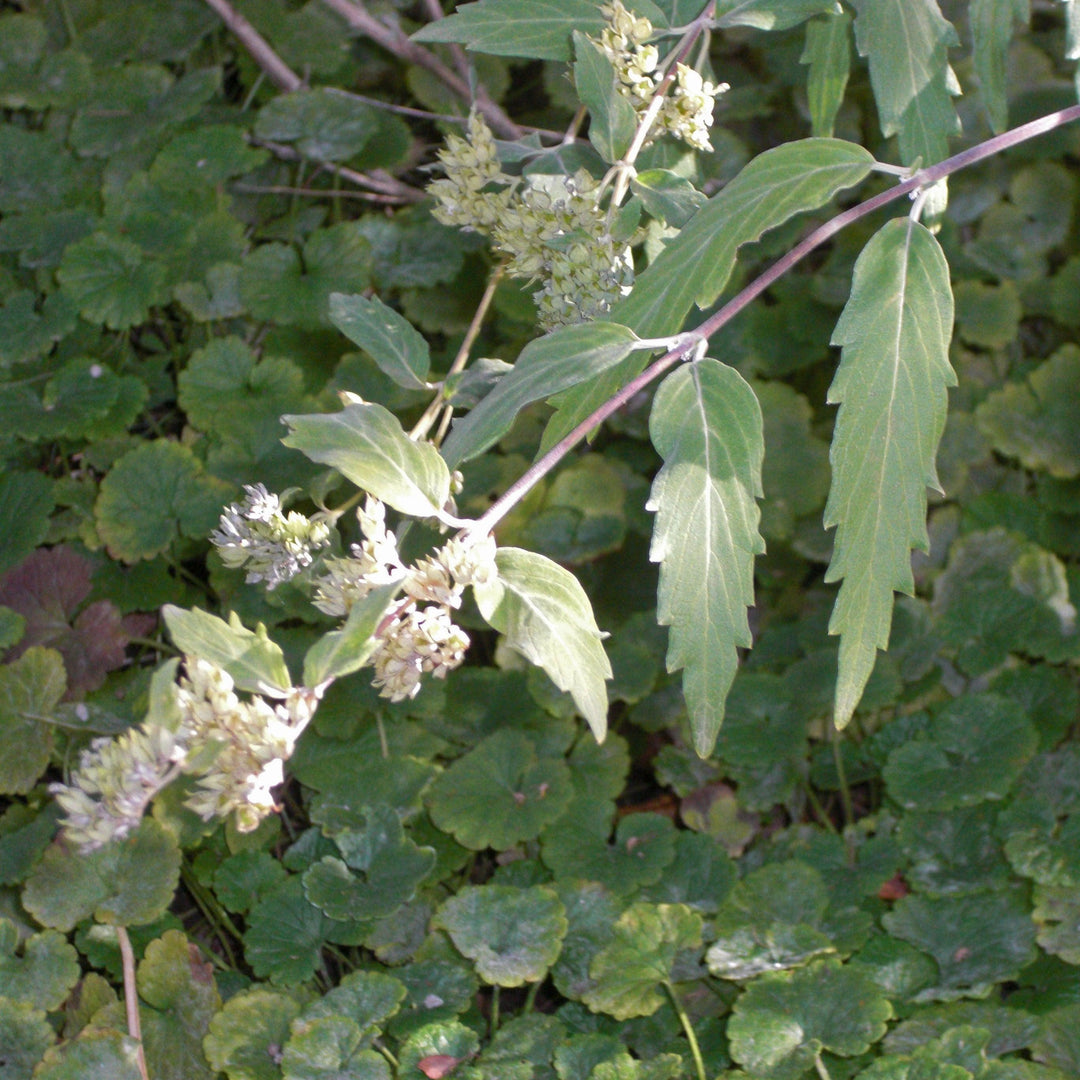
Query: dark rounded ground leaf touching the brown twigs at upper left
point(325, 124)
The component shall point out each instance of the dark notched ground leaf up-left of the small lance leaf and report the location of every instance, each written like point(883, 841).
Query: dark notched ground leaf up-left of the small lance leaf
point(278, 286)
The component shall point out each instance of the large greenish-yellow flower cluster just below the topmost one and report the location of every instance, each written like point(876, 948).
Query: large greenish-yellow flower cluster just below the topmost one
point(553, 228)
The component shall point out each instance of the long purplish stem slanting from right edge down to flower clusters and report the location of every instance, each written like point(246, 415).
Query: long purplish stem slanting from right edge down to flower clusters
point(925, 178)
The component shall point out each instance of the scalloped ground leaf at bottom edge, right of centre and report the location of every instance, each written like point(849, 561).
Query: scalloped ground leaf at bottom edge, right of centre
point(784, 1021)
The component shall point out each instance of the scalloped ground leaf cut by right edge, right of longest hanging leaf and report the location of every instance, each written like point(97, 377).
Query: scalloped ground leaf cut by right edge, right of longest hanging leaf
point(1037, 421)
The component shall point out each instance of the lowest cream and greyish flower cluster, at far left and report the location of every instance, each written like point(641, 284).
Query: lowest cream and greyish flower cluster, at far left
point(237, 749)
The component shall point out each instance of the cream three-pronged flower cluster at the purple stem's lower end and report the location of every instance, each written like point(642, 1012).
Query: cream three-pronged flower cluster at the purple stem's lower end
point(420, 637)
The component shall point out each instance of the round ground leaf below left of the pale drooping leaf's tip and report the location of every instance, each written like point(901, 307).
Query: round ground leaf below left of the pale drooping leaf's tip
point(501, 794)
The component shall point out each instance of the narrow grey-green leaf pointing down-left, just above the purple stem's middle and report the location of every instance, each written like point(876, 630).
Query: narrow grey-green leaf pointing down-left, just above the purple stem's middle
point(558, 361)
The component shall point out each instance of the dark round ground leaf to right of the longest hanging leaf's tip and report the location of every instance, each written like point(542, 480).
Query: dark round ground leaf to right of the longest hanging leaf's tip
point(975, 750)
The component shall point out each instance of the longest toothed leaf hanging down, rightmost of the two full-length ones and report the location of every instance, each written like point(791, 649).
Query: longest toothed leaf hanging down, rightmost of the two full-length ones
point(892, 388)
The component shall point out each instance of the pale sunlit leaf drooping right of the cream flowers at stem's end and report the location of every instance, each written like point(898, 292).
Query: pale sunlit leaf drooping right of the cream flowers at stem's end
point(546, 616)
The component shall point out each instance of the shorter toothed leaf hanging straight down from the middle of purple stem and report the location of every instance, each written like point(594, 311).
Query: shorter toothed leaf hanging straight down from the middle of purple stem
point(707, 426)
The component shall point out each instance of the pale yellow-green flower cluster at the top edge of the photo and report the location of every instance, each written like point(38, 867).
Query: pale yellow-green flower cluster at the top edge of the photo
point(687, 111)
